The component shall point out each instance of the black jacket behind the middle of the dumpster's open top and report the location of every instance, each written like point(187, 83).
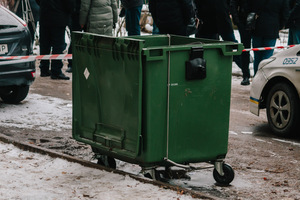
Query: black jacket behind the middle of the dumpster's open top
point(172, 13)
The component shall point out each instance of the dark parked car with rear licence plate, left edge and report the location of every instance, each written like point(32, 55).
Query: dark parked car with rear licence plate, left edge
point(16, 76)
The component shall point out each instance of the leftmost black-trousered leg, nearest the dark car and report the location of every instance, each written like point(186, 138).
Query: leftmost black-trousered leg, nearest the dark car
point(45, 47)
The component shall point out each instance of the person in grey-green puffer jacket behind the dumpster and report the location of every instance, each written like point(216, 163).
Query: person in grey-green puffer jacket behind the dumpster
point(99, 16)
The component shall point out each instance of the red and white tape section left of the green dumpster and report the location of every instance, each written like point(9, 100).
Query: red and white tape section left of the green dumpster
point(40, 57)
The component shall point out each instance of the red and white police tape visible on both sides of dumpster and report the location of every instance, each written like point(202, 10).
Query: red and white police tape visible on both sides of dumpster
point(69, 56)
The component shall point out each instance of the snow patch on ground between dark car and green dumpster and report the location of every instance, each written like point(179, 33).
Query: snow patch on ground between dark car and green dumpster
point(37, 112)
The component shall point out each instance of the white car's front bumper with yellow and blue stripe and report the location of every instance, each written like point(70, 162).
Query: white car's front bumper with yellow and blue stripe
point(258, 84)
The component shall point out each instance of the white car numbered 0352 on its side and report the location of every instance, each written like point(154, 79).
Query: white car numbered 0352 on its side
point(276, 87)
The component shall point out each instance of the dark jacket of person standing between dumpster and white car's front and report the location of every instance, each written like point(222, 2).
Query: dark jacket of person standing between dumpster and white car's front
point(239, 10)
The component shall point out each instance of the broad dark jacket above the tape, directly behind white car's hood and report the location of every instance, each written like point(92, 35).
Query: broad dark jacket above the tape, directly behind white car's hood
point(272, 17)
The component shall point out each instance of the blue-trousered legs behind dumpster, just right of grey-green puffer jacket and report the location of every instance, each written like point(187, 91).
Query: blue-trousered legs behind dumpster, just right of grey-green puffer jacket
point(132, 19)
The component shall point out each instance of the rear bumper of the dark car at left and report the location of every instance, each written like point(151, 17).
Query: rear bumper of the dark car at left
point(17, 72)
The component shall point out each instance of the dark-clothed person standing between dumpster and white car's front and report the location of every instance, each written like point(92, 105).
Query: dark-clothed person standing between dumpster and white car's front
point(239, 10)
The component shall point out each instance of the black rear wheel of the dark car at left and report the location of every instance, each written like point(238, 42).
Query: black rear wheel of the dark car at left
point(15, 95)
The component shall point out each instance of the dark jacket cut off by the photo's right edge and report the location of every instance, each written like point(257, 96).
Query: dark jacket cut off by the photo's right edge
point(294, 19)
